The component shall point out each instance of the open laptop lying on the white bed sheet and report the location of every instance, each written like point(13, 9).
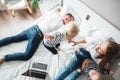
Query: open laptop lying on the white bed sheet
point(37, 70)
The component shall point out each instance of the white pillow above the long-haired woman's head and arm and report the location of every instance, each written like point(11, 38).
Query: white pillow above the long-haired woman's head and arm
point(86, 30)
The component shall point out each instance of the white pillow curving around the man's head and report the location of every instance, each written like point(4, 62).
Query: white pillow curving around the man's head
point(68, 9)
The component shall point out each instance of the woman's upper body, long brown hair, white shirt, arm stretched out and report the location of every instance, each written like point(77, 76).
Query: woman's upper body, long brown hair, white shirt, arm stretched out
point(105, 51)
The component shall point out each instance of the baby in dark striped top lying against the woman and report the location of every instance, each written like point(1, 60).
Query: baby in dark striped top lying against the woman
point(90, 68)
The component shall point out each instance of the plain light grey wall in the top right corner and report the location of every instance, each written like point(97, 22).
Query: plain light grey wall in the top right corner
point(109, 9)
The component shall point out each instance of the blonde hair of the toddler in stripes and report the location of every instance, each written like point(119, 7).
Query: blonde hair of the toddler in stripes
point(71, 29)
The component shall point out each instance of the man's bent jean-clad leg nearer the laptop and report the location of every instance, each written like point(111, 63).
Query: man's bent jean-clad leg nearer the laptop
point(31, 48)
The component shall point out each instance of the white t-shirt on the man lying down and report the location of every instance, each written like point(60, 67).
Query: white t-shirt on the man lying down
point(50, 22)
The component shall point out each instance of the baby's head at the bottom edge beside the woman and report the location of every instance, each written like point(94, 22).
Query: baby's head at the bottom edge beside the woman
point(94, 75)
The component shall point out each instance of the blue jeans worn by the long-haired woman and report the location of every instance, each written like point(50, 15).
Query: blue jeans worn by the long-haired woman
point(70, 71)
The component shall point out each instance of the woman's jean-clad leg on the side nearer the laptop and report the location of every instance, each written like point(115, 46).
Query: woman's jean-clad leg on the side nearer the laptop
point(68, 69)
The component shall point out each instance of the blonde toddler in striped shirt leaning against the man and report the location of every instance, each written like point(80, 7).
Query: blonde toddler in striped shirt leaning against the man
point(52, 40)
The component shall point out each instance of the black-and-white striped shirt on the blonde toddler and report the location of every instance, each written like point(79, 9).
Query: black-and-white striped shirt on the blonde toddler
point(59, 36)
